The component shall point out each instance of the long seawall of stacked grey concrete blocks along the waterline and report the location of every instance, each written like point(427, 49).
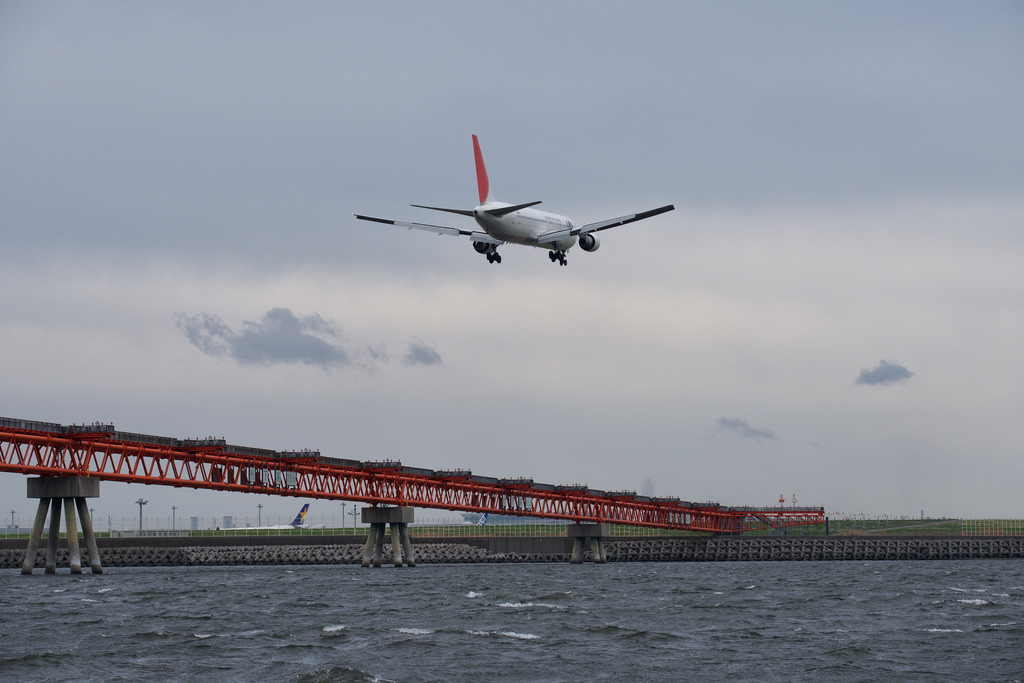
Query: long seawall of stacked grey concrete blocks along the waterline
point(146, 552)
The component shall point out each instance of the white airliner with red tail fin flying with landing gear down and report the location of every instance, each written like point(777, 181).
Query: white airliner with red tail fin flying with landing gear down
point(519, 224)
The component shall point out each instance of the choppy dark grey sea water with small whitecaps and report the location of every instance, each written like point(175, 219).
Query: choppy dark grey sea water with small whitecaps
point(928, 621)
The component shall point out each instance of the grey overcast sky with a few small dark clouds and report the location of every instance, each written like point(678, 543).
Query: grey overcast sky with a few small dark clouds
point(833, 313)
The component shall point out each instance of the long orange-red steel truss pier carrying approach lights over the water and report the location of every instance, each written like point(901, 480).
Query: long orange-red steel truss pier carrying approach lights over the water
point(102, 452)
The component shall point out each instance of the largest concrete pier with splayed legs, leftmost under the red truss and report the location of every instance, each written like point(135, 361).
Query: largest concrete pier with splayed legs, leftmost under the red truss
point(70, 493)
